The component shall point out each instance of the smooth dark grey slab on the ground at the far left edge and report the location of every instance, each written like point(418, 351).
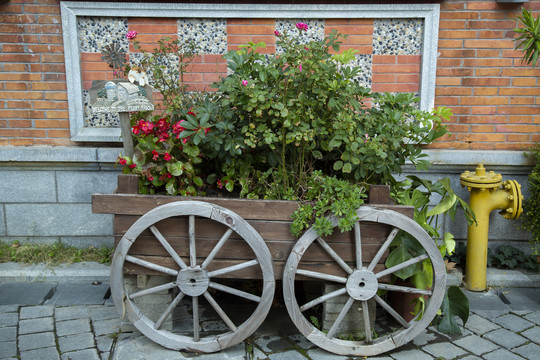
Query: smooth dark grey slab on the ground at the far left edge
point(25, 293)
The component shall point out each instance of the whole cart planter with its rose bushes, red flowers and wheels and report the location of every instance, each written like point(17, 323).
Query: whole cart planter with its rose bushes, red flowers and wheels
point(294, 129)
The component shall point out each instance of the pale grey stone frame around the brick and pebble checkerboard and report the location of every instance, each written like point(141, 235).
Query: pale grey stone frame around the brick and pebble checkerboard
point(70, 10)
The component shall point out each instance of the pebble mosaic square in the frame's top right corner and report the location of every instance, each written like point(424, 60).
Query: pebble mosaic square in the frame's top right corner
point(398, 36)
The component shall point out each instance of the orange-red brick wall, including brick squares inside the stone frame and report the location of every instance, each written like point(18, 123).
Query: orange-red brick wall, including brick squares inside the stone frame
point(479, 75)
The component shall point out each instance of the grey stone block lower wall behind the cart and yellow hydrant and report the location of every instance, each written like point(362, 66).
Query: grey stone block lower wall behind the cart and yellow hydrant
point(46, 192)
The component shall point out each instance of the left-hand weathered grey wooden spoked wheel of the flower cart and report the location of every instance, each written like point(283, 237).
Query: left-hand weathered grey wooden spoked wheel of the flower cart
point(194, 279)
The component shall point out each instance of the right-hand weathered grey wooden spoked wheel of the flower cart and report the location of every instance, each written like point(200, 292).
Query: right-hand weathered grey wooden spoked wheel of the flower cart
point(361, 283)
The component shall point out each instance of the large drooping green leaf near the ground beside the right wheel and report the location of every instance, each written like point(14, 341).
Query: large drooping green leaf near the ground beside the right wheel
point(455, 303)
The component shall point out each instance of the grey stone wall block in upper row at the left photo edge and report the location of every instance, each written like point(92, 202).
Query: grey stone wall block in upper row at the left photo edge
point(27, 186)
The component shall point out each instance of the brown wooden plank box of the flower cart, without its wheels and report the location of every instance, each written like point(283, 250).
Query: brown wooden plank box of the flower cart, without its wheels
point(271, 218)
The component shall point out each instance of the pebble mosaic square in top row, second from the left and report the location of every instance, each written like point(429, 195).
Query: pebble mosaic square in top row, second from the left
point(209, 34)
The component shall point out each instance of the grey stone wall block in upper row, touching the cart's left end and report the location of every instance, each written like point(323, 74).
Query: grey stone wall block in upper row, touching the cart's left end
point(78, 186)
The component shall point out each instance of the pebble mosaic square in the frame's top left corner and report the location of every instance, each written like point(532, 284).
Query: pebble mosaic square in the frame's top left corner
point(95, 33)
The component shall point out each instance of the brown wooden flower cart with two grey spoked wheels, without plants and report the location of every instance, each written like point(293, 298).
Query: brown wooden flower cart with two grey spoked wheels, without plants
point(201, 242)
